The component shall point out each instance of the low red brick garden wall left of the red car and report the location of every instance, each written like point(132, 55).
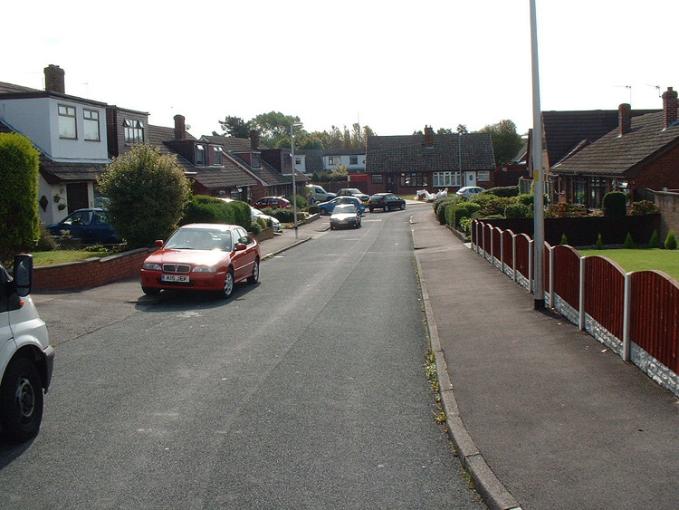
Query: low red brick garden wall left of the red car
point(90, 273)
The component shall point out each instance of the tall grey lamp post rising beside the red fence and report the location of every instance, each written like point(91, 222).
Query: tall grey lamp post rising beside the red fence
point(538, 173)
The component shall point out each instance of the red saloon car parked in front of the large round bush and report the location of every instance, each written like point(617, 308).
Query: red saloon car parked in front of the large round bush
point(202, 257)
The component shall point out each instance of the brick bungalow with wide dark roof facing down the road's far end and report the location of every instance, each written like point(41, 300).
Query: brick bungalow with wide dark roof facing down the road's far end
point(404, 164)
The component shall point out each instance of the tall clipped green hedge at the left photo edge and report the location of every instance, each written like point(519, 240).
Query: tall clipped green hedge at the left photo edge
point(20, 225)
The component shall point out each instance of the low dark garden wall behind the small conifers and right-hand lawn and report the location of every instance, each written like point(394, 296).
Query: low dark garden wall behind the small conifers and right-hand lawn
point(583, 231)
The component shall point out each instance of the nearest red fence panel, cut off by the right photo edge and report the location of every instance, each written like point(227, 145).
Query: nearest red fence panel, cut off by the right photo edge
point(654, 316)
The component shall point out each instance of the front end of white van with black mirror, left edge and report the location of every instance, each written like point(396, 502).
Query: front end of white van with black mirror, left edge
point(26, 357)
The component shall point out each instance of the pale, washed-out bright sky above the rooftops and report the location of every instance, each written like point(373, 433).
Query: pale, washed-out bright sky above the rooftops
point(393, 65)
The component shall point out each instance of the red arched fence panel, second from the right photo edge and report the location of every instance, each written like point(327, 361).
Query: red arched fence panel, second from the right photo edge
point(605, 293)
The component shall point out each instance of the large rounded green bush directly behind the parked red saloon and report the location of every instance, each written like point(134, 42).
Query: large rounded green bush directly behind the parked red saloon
point(147, 193)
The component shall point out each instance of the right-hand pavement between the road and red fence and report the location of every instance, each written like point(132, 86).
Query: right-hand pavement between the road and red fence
point(561, 421)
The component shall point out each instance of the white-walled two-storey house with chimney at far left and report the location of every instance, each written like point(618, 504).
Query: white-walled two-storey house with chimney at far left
point(70, 133)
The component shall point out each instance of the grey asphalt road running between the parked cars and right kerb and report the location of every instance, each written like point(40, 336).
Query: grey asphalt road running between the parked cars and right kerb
point(305, 391)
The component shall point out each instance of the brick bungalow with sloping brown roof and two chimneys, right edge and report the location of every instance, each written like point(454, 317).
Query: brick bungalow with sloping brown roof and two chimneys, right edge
point(642, 152)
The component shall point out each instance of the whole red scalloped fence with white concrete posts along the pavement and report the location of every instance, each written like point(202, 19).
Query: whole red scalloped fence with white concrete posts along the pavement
point(635, 314)
